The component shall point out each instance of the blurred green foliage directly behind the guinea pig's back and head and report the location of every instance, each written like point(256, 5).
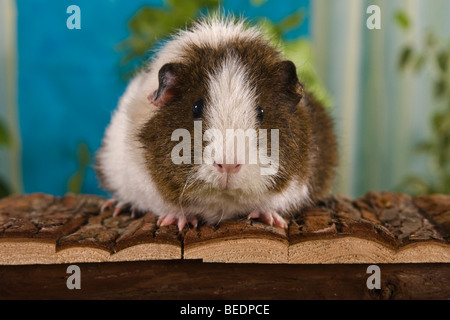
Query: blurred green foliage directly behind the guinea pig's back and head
point(150, 25)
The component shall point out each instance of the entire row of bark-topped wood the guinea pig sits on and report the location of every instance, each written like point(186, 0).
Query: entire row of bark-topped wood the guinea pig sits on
point(380, 227)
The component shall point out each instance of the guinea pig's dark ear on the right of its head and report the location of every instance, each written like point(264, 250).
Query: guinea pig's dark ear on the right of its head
point(291, 84)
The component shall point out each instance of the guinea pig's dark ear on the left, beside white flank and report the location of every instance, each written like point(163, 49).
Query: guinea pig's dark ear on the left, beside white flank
point(168, 78)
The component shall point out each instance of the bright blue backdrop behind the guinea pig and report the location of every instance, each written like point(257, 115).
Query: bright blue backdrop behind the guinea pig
point(70, 81)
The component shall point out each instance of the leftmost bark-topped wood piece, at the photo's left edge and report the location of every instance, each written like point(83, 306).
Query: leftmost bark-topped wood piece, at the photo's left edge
point(30, 225)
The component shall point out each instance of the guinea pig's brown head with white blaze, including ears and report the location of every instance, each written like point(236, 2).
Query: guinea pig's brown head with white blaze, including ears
point(229, 121)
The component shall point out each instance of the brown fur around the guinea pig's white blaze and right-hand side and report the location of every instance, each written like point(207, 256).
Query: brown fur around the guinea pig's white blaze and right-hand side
point(307, 142)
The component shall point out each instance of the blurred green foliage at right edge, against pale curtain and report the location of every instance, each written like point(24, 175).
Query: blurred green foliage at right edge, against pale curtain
point(434, 54)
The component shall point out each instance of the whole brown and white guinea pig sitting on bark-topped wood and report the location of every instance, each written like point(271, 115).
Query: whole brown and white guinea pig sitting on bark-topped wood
point(229, 77)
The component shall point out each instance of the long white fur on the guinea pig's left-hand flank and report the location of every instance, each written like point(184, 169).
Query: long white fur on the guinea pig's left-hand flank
point(121, 157)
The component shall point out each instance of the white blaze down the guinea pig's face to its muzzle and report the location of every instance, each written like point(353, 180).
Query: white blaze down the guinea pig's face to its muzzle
point(231, 106)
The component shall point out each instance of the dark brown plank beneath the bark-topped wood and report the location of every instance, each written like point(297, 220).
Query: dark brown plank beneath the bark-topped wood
point(193, 279)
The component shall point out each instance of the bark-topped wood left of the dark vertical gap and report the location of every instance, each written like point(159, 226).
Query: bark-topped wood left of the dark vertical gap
point(42, 229)
